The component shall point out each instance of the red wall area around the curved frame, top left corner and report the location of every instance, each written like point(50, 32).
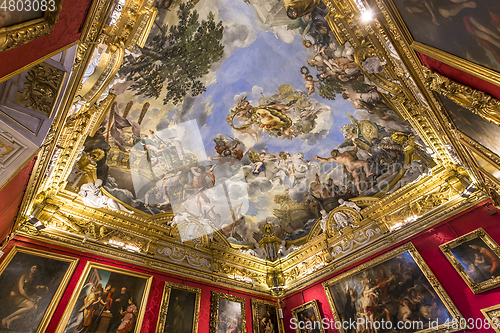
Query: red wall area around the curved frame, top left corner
point(66, 31)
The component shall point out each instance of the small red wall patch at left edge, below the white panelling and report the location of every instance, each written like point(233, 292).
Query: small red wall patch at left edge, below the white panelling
point(10, 199)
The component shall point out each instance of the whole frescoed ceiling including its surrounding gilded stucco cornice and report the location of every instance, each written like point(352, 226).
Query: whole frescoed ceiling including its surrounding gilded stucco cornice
point(241, 137)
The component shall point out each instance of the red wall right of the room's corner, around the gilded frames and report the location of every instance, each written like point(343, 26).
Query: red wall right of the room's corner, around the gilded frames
point(427, 243)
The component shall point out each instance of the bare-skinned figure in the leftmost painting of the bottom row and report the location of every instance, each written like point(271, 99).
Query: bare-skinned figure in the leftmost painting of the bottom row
point(23, 296)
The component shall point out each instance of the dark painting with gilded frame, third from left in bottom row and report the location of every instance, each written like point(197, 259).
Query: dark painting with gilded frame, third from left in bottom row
point(179, 309)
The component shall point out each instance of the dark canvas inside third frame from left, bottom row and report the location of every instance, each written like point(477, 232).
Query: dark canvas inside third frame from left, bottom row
point(181, 311)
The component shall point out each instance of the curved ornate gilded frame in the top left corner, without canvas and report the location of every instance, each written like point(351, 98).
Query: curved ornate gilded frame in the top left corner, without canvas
point(25, 32)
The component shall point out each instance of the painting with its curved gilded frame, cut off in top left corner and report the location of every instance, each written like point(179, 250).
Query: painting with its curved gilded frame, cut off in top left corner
point(27, 21)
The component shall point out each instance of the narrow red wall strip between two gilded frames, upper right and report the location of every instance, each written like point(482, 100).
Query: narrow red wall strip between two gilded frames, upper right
point(458, 76)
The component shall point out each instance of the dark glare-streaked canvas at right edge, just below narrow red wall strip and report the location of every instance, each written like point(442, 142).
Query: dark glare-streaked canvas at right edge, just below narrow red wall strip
point(474, 126)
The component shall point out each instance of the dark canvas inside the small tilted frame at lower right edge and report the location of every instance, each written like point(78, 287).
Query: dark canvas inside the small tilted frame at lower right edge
point(479, 261)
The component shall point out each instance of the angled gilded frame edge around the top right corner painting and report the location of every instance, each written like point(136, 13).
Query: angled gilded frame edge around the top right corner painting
point(467, 66)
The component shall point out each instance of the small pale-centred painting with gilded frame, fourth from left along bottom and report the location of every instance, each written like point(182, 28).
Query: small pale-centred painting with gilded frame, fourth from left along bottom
point(227, 313)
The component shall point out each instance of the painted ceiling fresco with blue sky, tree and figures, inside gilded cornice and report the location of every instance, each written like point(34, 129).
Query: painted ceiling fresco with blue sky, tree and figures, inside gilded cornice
point(238, 116)
